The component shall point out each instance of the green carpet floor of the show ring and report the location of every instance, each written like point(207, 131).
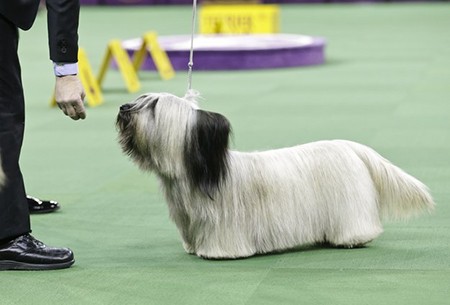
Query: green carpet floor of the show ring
point(386, 83)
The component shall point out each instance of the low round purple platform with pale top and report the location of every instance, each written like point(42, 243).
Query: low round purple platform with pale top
point(237, 52)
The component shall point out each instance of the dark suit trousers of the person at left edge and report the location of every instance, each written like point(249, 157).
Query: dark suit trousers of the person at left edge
point(14, 214)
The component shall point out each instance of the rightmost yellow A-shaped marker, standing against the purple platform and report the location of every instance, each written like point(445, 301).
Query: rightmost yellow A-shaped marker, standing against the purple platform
point(150, 45)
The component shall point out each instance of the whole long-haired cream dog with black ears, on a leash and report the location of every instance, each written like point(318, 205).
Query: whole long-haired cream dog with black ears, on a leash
point(230, 204)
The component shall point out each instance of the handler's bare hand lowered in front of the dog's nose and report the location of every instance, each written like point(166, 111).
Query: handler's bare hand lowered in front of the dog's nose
point(69, 95)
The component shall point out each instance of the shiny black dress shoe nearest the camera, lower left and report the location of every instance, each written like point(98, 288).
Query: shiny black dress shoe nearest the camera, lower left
point(27, 253)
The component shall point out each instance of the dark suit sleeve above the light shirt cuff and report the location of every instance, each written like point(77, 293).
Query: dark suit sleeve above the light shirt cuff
point(62, 20)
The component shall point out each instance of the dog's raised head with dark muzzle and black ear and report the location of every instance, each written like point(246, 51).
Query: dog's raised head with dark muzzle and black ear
point(175, 138)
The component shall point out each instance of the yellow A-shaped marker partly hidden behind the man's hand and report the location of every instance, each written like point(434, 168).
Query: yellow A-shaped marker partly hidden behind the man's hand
point(91, 88)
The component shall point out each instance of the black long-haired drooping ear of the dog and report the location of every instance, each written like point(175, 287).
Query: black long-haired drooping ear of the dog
point(206, 154)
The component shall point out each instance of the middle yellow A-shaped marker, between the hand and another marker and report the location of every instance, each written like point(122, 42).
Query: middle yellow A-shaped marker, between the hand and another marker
point(124, 65)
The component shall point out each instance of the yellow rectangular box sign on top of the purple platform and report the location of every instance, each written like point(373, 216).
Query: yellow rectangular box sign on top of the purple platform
point(239, 19)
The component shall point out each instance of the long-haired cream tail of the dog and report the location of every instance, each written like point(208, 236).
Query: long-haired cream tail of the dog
point(400, 195)
